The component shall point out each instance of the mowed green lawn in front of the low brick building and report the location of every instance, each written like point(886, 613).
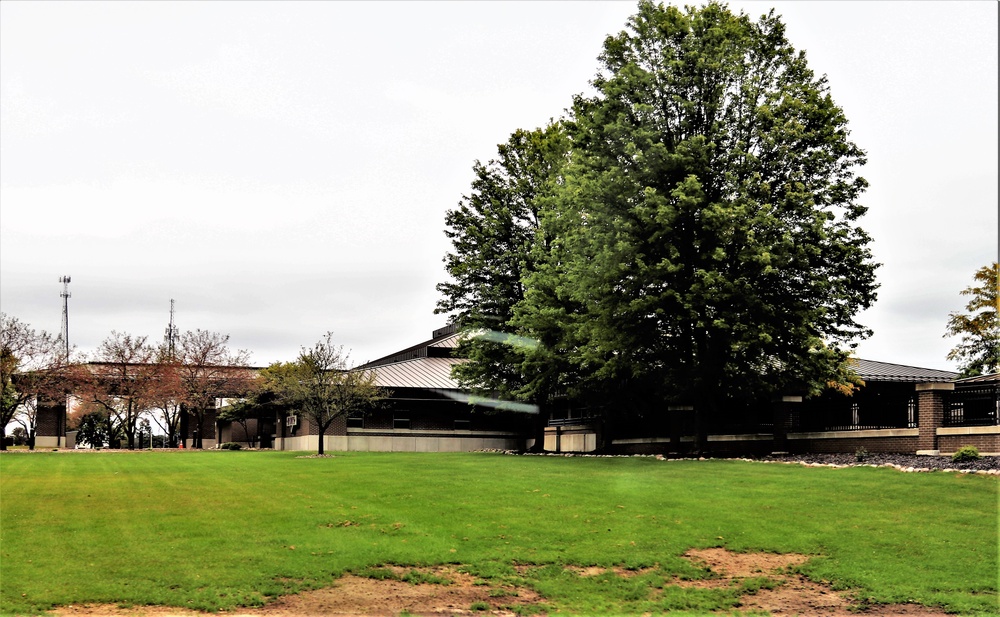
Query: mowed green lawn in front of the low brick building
point(216, 530)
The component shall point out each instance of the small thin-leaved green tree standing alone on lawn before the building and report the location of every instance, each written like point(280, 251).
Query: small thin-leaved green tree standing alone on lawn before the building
point(322, 387)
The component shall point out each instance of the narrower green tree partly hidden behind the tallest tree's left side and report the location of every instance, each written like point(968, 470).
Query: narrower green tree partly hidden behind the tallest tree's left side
point(493, 232)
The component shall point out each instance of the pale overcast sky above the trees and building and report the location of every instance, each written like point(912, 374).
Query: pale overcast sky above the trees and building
point(283, 169)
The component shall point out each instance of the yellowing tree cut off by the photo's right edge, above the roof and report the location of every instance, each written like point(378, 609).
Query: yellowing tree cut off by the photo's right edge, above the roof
point(978, 351)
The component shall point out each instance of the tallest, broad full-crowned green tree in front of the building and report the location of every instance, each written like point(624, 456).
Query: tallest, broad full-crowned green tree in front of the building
point(707, 224)
